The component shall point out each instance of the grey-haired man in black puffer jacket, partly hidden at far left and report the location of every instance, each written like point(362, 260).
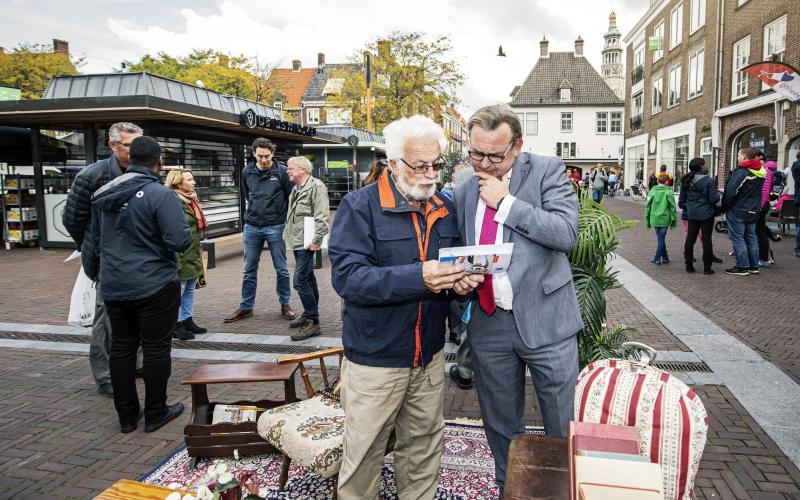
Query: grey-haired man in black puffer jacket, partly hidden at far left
point(77, 219)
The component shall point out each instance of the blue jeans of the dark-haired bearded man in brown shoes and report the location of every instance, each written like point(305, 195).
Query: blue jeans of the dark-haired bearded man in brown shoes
point(254, 238)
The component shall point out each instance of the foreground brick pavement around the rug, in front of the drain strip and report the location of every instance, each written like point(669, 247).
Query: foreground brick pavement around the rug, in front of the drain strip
point(59, 439)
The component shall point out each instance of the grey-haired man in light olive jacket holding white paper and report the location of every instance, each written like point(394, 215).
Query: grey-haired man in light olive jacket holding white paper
point(309, 198)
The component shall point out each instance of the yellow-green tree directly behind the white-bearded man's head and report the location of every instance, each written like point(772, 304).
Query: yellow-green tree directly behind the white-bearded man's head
point(411, 74)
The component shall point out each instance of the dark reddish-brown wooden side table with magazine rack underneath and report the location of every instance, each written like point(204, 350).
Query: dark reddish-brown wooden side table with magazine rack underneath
point(223, 439)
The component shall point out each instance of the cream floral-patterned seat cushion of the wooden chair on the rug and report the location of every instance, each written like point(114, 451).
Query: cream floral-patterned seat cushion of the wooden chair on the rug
point(310, 432)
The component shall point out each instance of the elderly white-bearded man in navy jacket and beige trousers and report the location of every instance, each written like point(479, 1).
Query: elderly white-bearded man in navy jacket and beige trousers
point(384, 246)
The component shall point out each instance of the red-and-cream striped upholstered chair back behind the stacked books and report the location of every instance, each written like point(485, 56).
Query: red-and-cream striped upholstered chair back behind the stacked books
point(669, 416)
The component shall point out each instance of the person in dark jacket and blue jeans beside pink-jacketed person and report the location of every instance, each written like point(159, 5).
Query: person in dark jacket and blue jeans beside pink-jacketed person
point(742, 204)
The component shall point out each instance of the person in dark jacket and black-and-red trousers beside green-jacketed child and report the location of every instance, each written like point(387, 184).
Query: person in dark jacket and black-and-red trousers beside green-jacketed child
point(699, 198)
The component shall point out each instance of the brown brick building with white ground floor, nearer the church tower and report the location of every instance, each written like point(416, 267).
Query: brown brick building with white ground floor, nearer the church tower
point(670, 87)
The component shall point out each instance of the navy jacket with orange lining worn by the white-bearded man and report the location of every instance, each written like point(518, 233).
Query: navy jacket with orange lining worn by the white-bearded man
point(390, 319)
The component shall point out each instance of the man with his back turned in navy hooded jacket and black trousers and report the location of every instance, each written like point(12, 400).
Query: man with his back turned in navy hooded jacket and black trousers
point(137, 226)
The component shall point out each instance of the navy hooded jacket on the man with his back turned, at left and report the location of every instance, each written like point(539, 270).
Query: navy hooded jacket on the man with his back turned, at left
point(138, 225)
